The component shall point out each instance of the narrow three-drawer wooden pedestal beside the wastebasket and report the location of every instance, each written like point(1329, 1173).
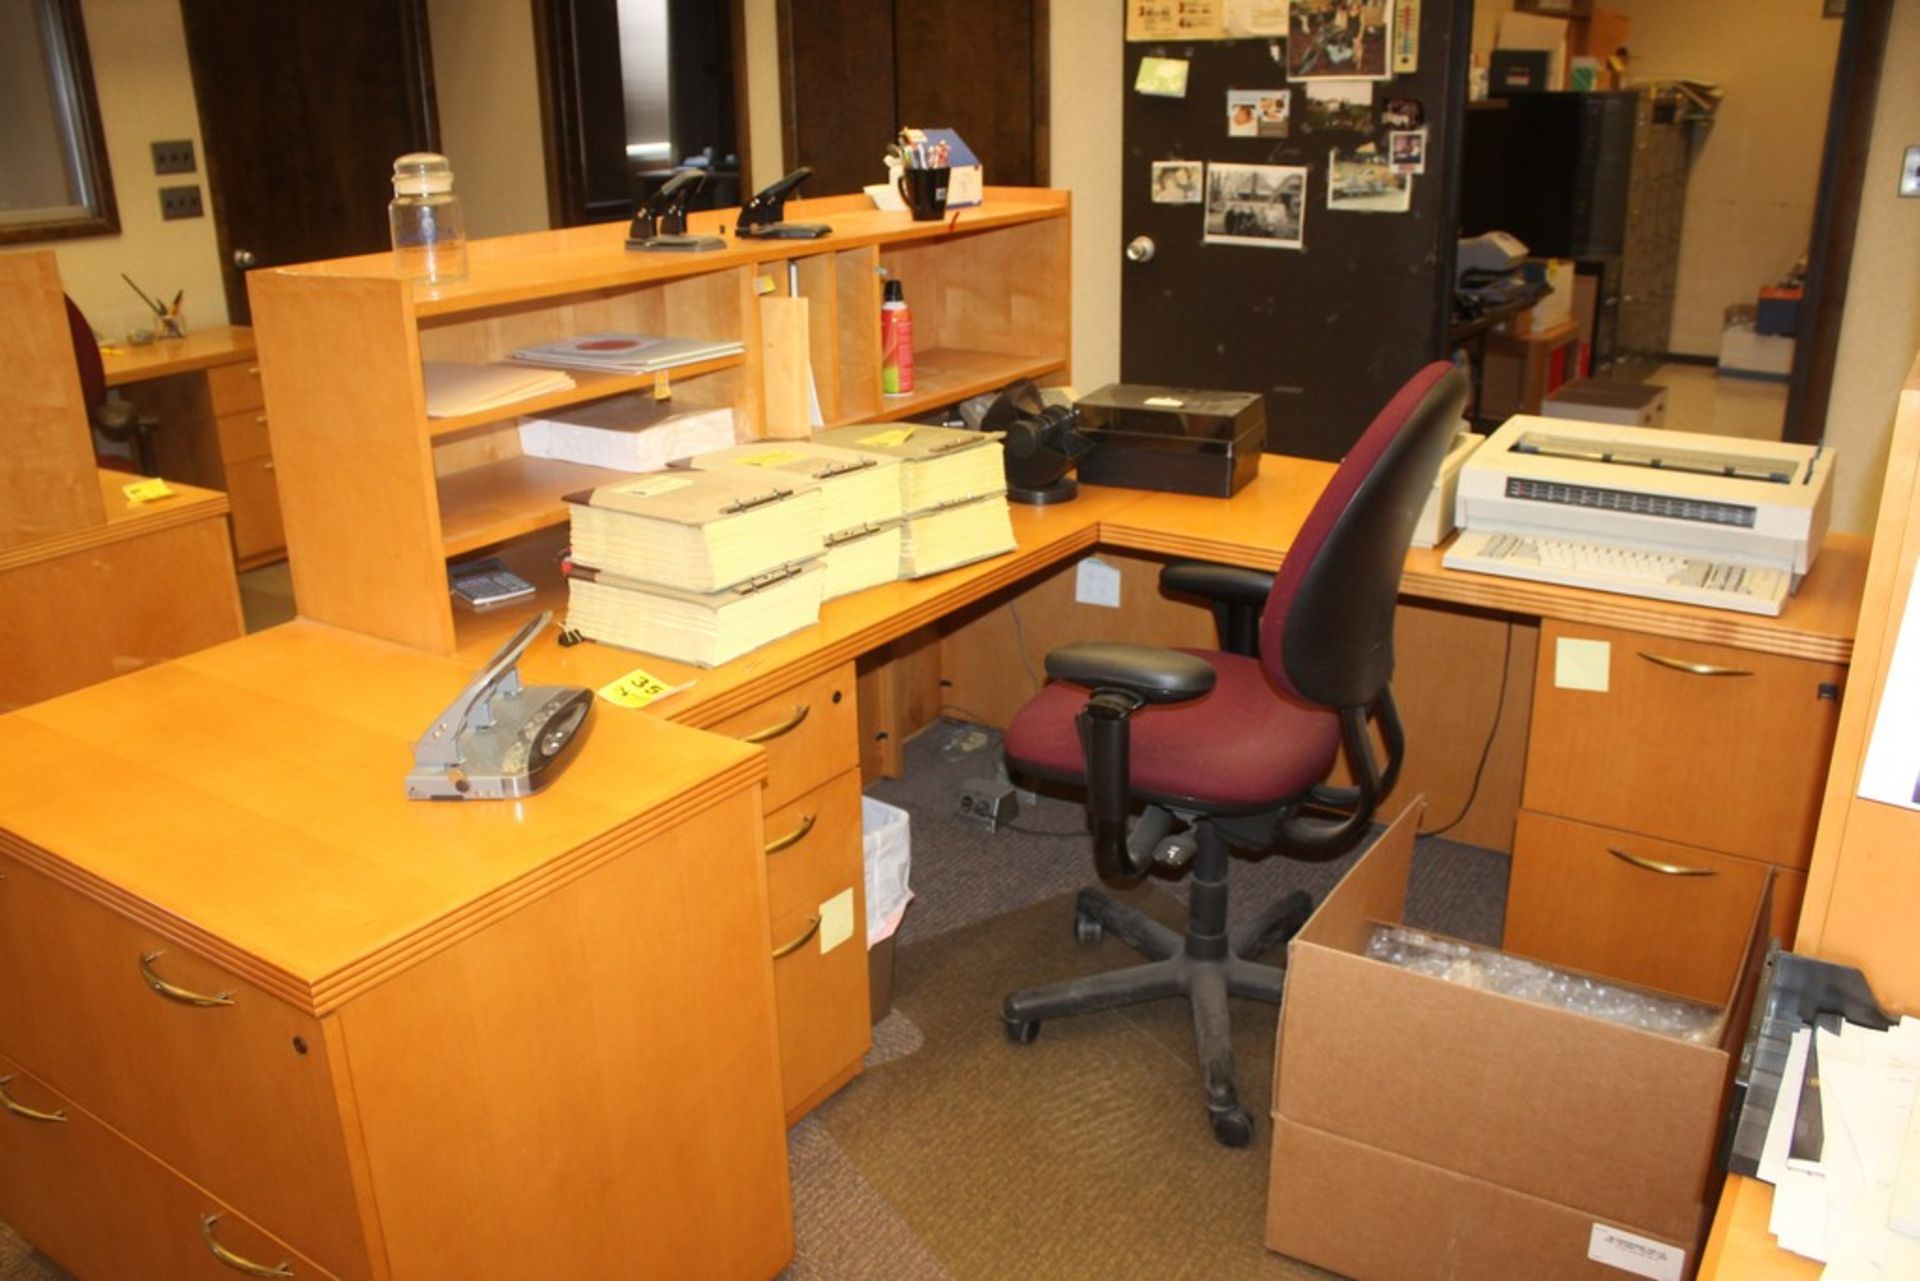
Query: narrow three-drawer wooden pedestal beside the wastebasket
point(815, 882)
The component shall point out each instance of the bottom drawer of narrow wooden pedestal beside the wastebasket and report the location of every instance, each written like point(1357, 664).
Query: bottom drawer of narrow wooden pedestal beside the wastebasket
point(821, 1002)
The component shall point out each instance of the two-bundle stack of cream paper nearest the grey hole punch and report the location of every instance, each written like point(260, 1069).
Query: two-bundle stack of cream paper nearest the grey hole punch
point(698, 568)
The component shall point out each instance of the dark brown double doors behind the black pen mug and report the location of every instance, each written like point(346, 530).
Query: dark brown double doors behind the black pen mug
point(855, 72)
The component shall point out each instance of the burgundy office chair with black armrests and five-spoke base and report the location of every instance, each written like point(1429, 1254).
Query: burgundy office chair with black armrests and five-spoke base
point(1234, 746)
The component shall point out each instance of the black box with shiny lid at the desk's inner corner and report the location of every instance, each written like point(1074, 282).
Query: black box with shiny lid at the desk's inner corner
point(1182, 441)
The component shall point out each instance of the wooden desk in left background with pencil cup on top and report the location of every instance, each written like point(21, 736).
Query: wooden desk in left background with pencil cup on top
point(206, 395)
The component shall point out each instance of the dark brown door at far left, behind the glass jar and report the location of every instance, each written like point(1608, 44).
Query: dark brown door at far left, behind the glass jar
point(302, 112)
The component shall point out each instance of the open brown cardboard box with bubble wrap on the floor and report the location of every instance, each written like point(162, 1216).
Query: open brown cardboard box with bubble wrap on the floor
point(1433, 1130)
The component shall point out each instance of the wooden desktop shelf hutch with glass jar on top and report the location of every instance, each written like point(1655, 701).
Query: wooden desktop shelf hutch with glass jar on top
point(377, 496)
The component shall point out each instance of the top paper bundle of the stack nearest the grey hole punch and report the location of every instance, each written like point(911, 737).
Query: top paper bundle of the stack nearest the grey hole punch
point(696, 531)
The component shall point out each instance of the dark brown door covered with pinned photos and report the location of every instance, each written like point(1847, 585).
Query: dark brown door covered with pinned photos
point(1326, 331)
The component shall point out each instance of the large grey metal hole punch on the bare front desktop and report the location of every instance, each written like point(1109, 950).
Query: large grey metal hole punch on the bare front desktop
point(500, 740)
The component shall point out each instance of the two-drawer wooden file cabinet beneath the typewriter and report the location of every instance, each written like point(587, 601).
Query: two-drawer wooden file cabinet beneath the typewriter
point(1654, 808)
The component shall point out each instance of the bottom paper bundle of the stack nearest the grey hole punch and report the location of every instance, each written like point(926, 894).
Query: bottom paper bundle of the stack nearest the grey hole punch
point(704, 629)
